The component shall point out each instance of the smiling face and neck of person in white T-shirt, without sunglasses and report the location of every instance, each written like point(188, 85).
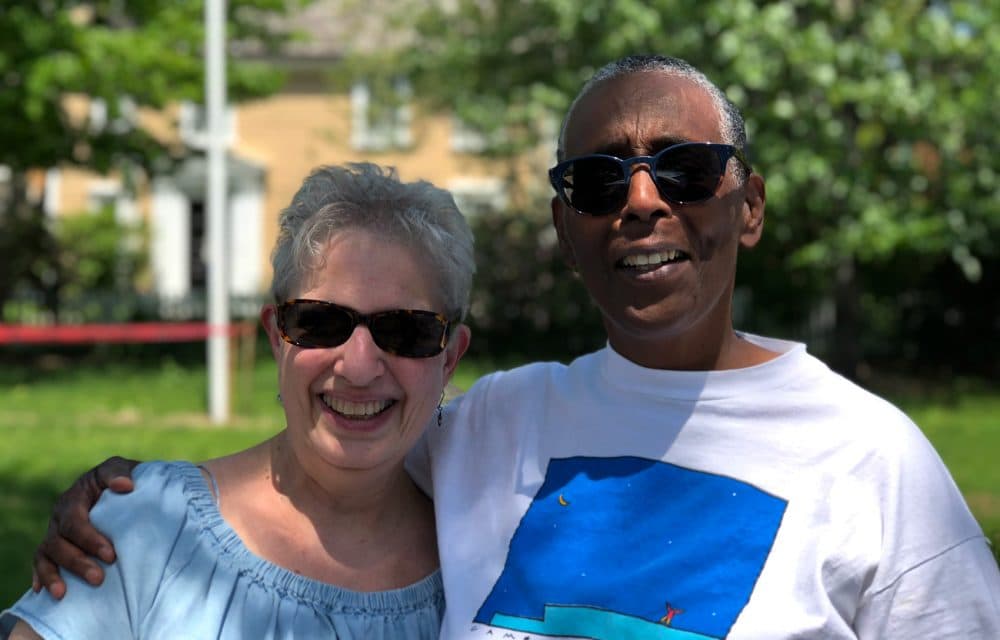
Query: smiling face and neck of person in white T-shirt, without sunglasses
point(662, 274)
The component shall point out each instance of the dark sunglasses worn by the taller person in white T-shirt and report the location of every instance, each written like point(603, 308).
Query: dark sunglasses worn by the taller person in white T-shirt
point(684, 173)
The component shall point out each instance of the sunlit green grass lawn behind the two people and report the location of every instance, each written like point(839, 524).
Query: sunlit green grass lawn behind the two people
point(59, 420)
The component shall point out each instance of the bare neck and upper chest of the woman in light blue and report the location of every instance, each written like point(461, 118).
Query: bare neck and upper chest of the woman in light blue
point(363, 530)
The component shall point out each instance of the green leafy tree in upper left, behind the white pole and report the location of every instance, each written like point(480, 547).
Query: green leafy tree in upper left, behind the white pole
point(124, 55)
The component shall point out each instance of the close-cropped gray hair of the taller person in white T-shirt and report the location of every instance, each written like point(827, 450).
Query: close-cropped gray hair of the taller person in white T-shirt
point(733, 127)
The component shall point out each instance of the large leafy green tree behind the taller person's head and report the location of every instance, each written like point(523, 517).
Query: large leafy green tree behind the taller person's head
point(872, 121)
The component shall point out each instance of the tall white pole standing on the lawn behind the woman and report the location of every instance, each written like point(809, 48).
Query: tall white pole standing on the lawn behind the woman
point(218, 294)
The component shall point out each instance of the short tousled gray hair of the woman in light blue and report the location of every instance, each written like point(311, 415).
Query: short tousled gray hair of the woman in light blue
point(367, 197)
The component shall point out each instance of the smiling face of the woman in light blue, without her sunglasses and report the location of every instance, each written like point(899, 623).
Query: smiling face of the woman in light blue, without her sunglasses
point(355, 406)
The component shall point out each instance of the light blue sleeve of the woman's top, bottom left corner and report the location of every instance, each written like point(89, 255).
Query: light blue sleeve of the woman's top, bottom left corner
point(143, 525)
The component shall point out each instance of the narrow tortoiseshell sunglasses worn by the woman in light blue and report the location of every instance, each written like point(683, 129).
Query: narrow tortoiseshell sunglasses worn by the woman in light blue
point(316, 324)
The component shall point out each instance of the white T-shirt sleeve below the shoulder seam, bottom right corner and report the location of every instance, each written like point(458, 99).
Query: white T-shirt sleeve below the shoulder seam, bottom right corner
point(955, 595)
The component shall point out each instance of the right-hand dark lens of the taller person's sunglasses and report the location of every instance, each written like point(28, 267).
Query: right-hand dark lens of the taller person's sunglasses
point(689, 173)
